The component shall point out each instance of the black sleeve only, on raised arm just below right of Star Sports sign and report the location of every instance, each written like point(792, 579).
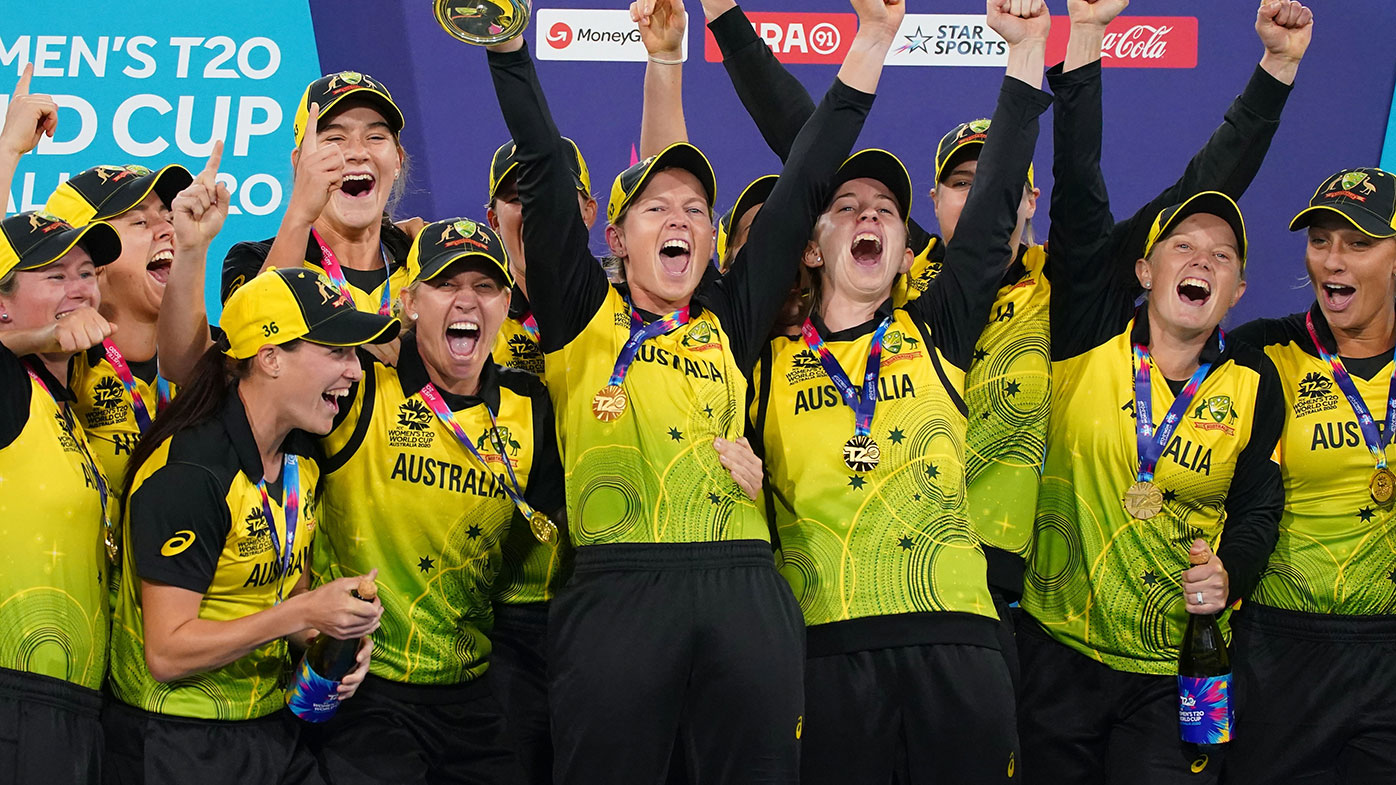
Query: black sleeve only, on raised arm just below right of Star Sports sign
point(957, 308)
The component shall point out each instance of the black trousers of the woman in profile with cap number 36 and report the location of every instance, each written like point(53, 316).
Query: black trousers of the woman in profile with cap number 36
point(157, 749)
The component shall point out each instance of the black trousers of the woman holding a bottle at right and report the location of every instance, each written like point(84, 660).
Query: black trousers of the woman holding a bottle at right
point(1084, 723)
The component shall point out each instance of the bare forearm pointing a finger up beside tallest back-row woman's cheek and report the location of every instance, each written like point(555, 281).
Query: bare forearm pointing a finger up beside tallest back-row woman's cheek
point(319, 171)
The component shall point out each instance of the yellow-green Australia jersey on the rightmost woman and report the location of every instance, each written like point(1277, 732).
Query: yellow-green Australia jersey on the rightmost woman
point(1337, 548)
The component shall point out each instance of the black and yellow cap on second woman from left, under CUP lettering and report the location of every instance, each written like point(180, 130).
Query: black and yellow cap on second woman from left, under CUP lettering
point(107, 192)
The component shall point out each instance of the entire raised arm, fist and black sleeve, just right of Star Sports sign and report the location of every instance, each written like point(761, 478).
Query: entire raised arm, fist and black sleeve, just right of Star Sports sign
point(957, 308)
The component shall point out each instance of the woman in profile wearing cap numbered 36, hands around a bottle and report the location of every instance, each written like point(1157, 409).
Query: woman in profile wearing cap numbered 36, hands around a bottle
point(220, 516)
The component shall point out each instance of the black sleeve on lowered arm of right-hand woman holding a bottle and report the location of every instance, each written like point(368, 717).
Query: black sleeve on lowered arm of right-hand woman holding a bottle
point(1257, 495)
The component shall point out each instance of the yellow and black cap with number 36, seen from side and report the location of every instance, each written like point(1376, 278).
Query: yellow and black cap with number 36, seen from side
point(280, 307)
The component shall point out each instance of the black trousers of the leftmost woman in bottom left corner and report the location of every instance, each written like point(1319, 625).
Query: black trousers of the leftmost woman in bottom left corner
point(51, 731)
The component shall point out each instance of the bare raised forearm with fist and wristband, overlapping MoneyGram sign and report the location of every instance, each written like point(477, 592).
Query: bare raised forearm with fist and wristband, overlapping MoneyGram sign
point(662, 29)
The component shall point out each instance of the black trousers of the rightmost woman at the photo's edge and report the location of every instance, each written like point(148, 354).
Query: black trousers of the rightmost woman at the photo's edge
point(1316, 699)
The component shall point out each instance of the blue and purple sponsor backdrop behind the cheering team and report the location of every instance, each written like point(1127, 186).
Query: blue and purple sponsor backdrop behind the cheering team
point(156, 85)
